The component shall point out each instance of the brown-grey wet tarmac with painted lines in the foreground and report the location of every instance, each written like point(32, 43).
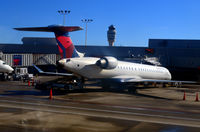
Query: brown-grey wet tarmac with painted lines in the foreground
point(24, 108)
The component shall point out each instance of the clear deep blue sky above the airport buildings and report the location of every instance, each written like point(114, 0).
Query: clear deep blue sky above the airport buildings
point(135, 21)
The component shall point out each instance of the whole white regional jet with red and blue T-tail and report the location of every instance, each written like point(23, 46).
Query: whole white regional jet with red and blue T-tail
point(107, 69)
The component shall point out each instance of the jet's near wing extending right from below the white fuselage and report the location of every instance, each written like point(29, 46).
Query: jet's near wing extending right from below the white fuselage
point(129, 79)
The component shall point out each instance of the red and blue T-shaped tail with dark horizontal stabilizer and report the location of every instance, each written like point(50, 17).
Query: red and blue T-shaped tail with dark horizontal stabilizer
point(65, 45)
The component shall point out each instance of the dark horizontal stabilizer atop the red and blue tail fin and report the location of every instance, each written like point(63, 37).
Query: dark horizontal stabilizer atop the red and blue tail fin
point(52, 28)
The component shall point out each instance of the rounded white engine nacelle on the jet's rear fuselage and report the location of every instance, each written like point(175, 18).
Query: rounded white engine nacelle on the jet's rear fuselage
point(107, 62)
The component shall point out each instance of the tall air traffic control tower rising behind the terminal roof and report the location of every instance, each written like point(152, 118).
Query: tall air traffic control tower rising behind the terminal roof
point(111, 33)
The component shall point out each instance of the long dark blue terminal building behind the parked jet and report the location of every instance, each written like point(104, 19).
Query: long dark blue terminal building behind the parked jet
point(181, 57)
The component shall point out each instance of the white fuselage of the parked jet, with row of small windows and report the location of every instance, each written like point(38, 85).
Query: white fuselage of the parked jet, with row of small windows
point(86, 67)
